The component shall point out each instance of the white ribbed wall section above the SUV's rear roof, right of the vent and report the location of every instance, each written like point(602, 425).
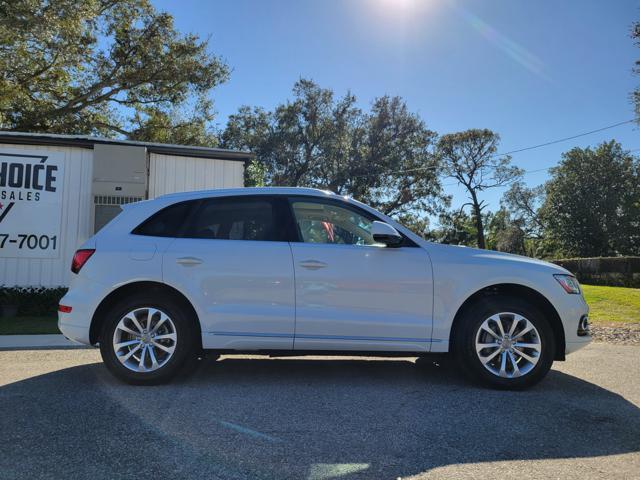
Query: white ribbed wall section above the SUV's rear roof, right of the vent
point(171, 173)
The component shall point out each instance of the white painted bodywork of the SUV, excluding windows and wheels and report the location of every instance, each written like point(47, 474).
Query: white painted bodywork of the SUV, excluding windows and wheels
point(279, 295)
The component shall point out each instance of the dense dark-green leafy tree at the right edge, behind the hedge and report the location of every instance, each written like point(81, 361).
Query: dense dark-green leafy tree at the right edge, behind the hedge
point(592, 205)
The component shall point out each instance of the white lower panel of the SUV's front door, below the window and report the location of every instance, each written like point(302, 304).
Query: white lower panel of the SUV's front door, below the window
point(364, 297)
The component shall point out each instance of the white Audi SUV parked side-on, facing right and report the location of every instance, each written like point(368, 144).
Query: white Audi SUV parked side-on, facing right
point(284, 271)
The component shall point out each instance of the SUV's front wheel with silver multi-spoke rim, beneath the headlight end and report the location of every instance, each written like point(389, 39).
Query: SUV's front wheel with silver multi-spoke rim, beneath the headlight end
point(489, 352)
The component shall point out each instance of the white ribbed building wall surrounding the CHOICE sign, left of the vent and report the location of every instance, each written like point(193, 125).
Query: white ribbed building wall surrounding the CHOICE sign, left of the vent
point(76, 222)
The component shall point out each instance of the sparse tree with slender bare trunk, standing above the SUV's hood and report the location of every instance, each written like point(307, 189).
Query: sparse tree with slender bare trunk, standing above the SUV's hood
point(470, 158)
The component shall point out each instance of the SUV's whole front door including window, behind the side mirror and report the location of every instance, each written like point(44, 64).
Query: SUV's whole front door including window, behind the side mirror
point(354, 294)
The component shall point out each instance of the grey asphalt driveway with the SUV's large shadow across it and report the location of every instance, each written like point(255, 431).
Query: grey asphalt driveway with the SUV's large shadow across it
point(63, 416)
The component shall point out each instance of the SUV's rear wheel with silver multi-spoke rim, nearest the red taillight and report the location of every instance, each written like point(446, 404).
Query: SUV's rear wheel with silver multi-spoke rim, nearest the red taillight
point(147, 340)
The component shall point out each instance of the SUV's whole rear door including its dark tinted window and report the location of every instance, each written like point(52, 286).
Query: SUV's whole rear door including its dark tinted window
point(234, 262)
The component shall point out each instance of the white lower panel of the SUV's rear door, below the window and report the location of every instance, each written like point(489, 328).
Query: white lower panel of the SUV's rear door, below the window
point(244, 290)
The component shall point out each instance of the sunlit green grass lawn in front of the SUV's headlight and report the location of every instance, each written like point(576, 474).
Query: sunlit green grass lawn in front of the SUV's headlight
point(612, 304)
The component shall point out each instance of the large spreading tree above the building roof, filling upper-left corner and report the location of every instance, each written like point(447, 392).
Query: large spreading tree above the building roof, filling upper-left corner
point(109, 67)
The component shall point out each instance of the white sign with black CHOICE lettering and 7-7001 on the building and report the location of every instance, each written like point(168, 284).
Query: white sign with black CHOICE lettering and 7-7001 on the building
point(30, 203)
